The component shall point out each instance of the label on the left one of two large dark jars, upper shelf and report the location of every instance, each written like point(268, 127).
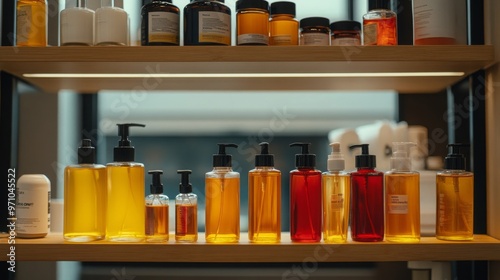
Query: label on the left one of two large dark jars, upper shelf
point(163, 27)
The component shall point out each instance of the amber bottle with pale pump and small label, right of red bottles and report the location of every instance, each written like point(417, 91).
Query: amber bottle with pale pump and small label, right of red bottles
point(402, 197)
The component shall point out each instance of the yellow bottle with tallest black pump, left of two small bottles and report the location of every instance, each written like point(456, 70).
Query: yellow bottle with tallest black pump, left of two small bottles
point(126, 211)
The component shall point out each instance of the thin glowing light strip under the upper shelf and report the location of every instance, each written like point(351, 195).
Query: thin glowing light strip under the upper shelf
point(245, 75)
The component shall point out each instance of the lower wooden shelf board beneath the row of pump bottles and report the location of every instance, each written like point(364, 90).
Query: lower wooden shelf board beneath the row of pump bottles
point(53, 248)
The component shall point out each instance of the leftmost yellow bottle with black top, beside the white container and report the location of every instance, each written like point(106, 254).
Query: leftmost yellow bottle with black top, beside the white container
point(85, 197)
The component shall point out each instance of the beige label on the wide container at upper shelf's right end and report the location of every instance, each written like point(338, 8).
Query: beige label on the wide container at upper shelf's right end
point(434, 18)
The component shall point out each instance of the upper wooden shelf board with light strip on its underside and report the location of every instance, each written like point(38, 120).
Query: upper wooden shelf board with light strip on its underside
point(245, 59)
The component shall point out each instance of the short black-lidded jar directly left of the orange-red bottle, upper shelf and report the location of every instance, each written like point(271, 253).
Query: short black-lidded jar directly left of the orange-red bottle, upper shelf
point(346, 33)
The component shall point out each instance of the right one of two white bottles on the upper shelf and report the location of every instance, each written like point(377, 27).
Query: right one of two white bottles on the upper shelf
point(111, 25)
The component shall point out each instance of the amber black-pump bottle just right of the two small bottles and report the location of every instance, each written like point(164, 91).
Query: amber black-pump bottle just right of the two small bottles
point(222, 190)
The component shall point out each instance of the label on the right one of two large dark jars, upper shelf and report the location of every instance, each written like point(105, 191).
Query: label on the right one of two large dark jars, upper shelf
point(214, 27)
